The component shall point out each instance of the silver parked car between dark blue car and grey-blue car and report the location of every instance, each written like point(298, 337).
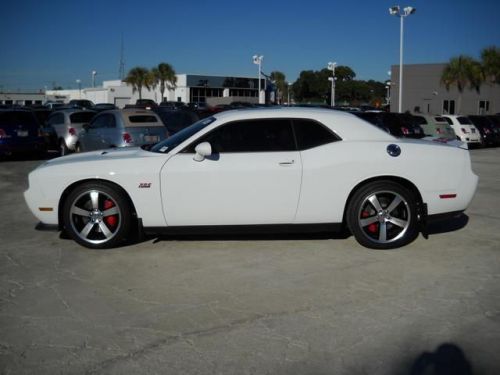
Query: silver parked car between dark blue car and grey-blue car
point(67, 124)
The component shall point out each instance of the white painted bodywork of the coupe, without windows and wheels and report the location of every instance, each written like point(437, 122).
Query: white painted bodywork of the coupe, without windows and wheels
point(295, 187)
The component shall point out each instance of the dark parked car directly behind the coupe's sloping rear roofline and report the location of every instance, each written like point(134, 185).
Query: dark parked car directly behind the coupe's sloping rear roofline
point(397, 124)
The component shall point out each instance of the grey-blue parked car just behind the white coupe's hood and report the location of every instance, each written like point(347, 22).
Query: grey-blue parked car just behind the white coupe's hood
point(121, 128)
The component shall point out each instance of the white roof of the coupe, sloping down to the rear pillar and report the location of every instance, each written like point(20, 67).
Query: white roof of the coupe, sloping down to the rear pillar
point(346, 125)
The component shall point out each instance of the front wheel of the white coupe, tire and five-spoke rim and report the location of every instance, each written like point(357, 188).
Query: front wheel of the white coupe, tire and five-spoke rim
point(98, 215)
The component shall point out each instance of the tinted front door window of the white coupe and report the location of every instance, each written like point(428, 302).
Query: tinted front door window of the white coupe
point(259, 135)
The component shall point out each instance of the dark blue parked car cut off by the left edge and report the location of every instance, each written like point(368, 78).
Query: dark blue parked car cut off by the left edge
point(20, 133)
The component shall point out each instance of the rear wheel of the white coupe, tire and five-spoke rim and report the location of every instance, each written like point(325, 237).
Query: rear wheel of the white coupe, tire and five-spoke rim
point(383, 215)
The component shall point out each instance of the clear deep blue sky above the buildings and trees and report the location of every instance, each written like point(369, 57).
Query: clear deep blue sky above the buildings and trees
point(49, 42)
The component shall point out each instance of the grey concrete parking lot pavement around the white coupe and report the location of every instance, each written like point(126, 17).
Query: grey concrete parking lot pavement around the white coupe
point(283, 304)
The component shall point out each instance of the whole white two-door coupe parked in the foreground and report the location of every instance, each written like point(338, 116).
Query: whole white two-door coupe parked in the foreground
point(280, 169)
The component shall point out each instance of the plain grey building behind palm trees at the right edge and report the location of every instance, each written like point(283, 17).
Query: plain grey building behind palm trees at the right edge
point(423, 92)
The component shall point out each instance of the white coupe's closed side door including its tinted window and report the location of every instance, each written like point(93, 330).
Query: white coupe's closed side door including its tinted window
point(252, 177)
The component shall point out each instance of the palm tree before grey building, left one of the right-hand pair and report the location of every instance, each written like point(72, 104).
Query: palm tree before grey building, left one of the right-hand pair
point(462, 71)
